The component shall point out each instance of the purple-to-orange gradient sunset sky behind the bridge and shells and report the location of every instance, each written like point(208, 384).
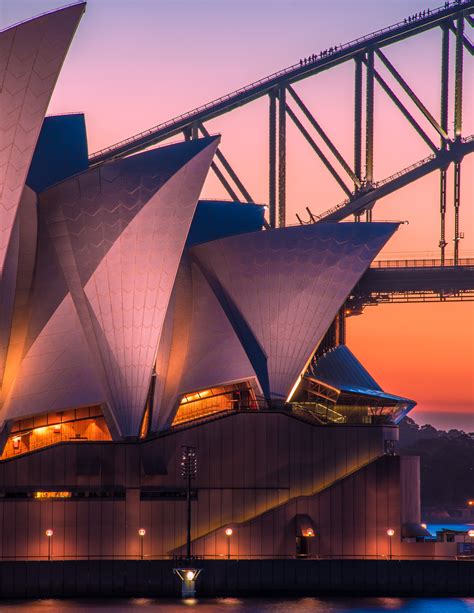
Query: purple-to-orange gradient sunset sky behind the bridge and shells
point(136, 63)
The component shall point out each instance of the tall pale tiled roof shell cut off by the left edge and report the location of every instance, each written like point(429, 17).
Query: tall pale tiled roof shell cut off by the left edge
point(32, 55)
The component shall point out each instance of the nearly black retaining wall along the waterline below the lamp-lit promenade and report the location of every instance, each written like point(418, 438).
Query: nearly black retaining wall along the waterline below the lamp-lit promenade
point(245, 577)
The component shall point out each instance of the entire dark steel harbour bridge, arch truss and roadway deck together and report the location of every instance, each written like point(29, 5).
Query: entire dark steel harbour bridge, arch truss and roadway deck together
point(444, 278)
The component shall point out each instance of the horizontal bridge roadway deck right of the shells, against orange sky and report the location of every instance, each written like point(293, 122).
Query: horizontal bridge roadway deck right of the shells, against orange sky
point(415, 281)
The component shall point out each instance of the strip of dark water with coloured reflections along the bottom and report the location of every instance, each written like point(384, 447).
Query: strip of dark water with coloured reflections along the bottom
point(247, 605)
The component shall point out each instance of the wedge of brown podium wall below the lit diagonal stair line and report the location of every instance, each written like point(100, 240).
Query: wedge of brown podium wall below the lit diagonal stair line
point(350, 518)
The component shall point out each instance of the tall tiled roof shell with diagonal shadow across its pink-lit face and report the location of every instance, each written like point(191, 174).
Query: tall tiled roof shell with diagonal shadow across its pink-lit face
point(119, 232)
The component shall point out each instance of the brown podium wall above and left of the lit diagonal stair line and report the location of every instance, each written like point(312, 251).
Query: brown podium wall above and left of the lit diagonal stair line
point(248, 463)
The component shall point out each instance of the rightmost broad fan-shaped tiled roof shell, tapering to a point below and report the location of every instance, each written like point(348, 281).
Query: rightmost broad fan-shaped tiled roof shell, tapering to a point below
point(282, 289)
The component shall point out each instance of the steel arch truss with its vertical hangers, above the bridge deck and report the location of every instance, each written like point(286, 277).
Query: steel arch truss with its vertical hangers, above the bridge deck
point(444, 135)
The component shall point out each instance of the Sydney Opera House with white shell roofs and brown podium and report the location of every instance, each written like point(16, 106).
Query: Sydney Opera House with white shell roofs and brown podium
point(137, 318)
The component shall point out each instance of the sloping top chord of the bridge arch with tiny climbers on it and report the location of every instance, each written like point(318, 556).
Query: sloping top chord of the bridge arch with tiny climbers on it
point(323, 61)
